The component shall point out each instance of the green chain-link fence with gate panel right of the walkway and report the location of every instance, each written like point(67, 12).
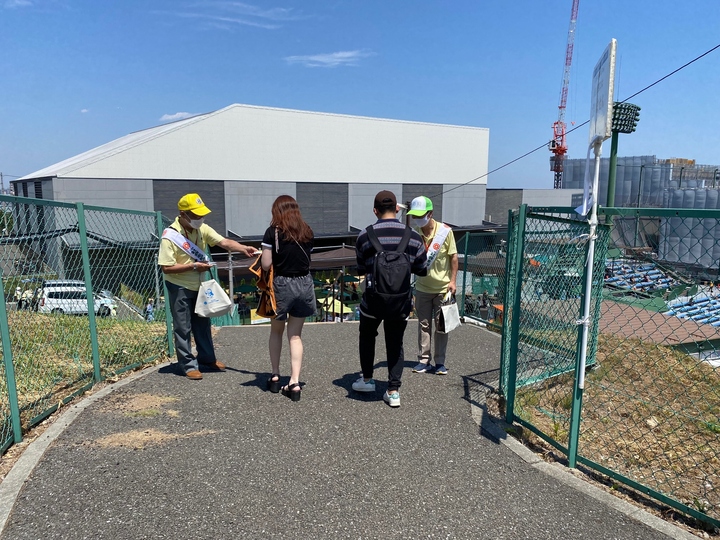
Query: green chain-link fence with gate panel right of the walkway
point(648, 413)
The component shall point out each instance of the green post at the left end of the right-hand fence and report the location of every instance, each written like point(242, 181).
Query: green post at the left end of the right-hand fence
point(514, 312)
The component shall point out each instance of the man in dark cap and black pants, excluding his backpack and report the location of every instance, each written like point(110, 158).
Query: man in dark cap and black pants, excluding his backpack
point(390, 232)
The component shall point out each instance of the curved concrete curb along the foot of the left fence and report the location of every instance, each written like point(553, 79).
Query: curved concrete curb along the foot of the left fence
point(13, 482)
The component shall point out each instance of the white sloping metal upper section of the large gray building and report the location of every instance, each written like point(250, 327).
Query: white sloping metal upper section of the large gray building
point(250, 143)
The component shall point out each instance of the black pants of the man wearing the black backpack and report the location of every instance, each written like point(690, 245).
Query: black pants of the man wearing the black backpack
point(394, 333)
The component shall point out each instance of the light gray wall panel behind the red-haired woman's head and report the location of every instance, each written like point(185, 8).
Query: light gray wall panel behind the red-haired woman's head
point(248, 205)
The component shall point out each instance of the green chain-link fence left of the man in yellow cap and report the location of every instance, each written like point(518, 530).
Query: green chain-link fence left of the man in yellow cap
point(77, 281)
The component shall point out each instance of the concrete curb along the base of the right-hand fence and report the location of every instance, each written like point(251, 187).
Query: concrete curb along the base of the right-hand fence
point(497, 431)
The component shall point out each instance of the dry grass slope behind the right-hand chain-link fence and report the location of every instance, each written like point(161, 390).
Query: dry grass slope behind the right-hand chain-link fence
point(650, 413)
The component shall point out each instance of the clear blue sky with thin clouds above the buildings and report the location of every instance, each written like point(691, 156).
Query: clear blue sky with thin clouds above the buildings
point(75, 74)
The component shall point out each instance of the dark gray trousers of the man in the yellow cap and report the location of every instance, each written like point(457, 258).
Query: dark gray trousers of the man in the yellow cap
point(185, 322)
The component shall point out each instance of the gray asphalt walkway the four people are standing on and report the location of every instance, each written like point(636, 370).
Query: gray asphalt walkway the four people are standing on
point(160, 456)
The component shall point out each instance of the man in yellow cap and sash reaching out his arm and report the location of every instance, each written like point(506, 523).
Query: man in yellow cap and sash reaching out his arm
point(183, 260)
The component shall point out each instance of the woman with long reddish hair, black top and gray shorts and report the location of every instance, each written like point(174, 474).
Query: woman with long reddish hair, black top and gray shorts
point(286, 247)
